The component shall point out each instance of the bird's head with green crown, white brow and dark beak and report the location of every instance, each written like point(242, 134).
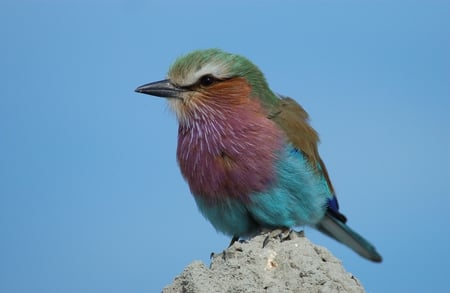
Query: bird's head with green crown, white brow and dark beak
point(204, 81)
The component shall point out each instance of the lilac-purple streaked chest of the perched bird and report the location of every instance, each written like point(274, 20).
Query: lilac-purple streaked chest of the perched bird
point(221, 162)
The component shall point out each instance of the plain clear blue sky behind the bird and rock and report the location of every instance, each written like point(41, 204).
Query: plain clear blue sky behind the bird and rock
point(91, 198)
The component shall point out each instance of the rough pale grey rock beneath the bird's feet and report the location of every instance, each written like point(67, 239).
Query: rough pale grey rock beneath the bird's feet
point(294, 265)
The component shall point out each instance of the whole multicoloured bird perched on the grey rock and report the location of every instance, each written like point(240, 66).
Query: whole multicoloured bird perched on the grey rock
point(249, 155)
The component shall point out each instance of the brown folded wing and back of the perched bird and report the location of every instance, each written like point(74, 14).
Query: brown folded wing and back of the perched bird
point(294, 120)
